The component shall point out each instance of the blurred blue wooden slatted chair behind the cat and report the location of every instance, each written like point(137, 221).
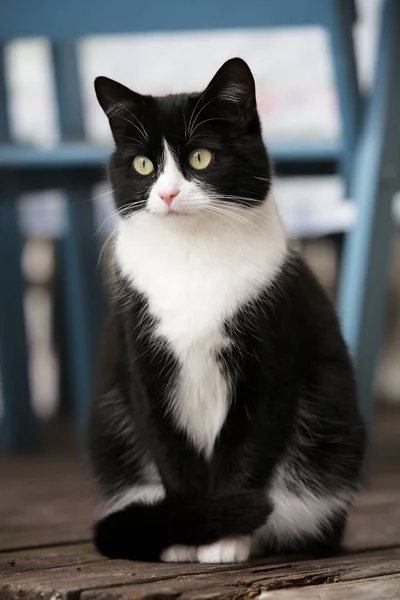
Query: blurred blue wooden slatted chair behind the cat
point(75, 165)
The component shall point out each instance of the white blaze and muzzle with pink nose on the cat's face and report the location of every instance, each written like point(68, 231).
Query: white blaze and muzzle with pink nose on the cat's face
point(172, 193)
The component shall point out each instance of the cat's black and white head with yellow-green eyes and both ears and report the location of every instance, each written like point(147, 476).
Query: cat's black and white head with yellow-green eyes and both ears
point(187, 154)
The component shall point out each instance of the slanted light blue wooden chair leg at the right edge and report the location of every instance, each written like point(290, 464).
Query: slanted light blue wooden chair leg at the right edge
point(366, 257)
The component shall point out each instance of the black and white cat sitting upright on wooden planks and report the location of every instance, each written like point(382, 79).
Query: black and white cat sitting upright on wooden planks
point(226, 422)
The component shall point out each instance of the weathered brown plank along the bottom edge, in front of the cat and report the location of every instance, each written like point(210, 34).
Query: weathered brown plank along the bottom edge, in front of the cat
point(110, 580)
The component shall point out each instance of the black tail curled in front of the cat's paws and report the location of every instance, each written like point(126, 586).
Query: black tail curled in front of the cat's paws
point(144, 531)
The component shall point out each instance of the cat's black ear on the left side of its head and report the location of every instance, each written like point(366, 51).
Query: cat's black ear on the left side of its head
point(119, 103)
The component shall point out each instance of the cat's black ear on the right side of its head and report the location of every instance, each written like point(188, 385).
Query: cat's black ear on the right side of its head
point(233, 85)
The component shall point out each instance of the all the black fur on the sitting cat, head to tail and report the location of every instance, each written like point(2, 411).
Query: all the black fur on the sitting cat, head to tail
point(293, 394)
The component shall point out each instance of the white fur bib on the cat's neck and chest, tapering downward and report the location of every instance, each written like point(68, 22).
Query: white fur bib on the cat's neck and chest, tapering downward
point(195, 275)
